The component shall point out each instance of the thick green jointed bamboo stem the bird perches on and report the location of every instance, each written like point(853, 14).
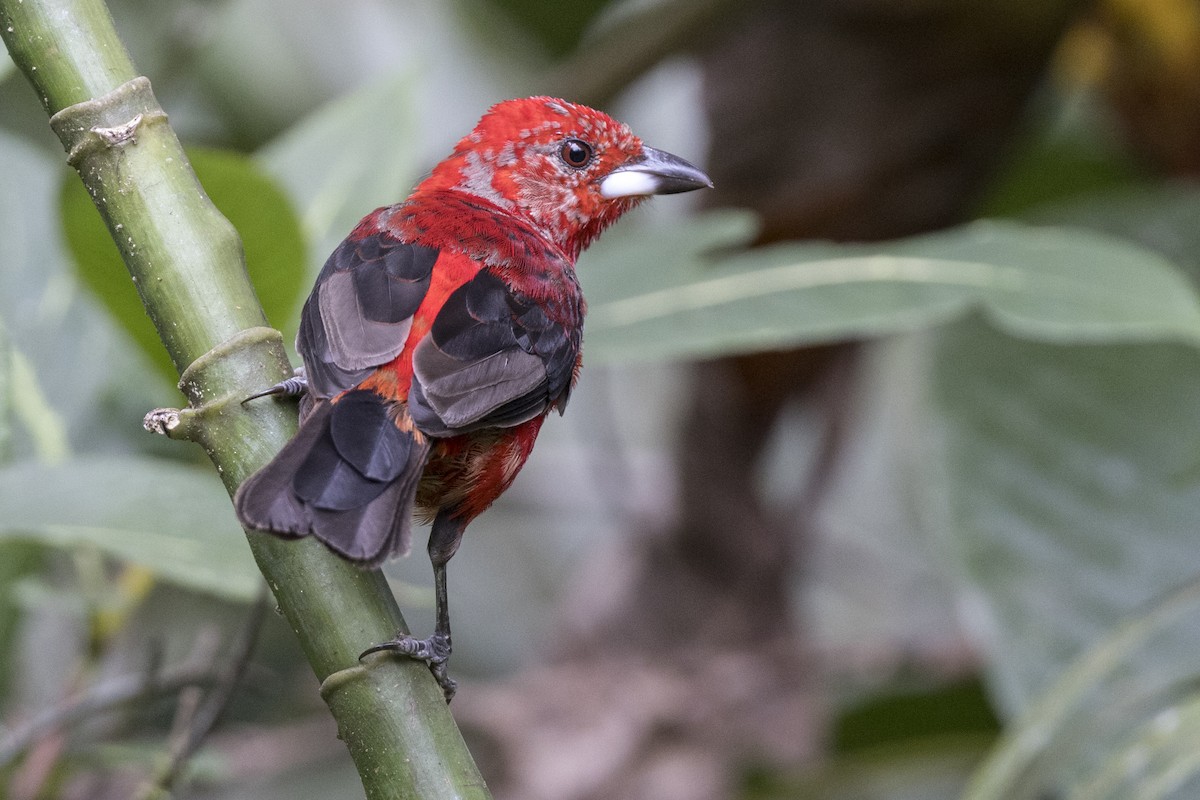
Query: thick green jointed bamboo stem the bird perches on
point(188, 264)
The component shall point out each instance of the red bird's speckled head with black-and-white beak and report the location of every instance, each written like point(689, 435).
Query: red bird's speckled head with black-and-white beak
point(568, 169)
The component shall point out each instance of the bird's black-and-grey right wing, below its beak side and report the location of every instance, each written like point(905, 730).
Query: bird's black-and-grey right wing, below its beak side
point(493, 359)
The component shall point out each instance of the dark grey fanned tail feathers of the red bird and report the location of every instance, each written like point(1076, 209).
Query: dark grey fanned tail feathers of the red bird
point(357, 500)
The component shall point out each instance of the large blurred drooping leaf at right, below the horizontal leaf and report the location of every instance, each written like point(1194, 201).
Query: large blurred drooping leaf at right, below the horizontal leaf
point(1064, 485)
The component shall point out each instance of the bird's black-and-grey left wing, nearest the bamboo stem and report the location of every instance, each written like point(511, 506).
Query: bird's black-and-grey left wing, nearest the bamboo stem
point(362, 310)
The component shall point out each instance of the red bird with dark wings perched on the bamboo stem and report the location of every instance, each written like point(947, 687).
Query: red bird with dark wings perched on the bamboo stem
point(442, 333)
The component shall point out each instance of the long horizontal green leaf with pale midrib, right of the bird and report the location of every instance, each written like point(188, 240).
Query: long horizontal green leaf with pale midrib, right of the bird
point(653, 297)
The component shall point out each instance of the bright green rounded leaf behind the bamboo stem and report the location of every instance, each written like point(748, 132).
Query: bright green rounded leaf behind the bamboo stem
point(247, 196)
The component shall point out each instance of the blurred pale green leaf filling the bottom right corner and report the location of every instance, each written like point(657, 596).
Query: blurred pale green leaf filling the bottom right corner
point(1123, 723)
